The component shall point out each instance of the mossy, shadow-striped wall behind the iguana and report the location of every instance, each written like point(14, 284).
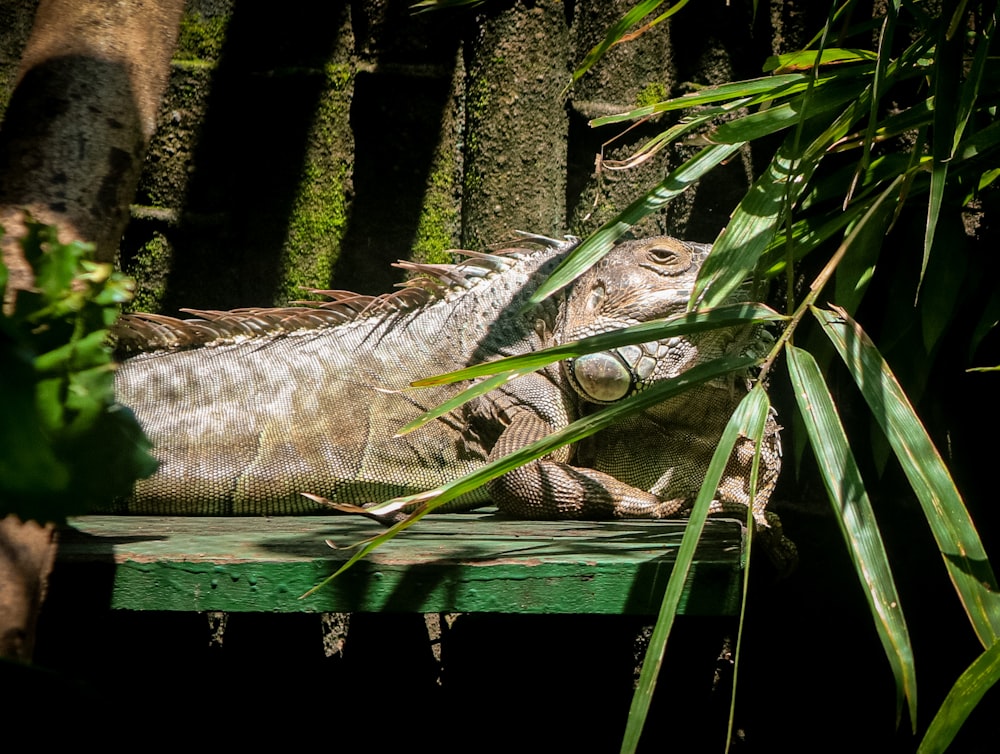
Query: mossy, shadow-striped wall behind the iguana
point(307, 146)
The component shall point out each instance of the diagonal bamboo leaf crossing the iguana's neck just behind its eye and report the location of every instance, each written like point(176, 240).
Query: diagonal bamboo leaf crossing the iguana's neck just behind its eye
point(601, 240)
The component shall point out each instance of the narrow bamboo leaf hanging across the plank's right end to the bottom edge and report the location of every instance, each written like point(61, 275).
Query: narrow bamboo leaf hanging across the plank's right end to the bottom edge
point(751, 411)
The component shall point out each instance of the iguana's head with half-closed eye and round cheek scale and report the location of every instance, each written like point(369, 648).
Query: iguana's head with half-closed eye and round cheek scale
point(638, 281)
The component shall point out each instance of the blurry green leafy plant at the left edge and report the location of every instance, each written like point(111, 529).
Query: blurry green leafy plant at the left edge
point(68, 445)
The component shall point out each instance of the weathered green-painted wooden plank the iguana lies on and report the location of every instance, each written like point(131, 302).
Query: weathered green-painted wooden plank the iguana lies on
point(446, 563)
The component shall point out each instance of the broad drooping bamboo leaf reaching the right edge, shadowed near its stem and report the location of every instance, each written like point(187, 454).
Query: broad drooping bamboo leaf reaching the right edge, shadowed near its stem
point(953, 530)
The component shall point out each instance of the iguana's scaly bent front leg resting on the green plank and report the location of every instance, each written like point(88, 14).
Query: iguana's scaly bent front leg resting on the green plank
point(551, 488)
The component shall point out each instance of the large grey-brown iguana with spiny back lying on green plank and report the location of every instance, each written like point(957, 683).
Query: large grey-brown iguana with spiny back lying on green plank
point(250, 408)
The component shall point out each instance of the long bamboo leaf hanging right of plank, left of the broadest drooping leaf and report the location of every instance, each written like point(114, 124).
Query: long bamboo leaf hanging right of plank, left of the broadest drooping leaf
point(847, 494)
